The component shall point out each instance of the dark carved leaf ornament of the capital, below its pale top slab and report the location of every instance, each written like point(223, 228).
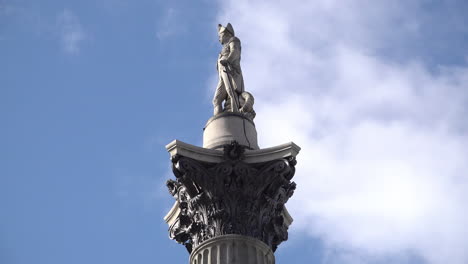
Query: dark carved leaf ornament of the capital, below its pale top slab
point(231, 197)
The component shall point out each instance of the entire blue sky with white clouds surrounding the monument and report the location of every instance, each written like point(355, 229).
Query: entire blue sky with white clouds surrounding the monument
point(375, 92)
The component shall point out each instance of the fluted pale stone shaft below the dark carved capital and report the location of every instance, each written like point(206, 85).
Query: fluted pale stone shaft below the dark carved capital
point(232, 249)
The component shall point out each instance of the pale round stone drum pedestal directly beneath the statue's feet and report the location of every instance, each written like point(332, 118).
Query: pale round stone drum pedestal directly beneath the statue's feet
point(226, 127)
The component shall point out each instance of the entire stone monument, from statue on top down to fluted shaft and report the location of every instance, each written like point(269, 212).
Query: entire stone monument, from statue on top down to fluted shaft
point(230, 194)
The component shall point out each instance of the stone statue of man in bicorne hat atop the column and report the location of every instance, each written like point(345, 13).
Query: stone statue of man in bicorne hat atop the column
point(230, 88)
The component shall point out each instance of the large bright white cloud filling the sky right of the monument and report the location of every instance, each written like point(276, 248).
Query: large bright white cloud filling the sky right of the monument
point(383, 169)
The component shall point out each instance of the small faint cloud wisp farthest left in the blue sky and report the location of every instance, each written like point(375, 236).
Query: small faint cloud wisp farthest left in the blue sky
point(71, 32)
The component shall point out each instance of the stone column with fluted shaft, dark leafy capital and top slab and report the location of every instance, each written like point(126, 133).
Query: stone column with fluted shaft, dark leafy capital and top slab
point(230, 202)
